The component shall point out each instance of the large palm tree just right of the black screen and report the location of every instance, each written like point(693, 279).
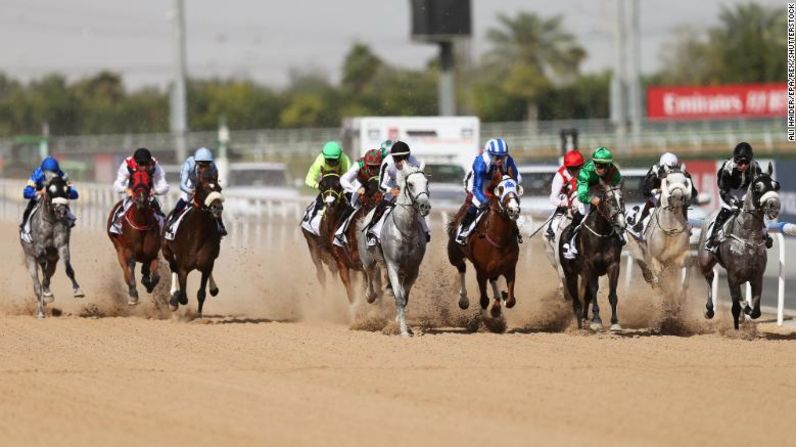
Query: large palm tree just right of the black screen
point(532, 53)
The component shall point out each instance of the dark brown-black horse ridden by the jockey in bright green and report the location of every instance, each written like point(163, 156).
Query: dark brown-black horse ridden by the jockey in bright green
point(599, 246)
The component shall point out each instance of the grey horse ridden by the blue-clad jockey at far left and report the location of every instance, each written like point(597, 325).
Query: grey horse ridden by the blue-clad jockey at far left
point(49, 231)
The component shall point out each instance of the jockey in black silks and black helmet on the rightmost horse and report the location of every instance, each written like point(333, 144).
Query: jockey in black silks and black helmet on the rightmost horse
point(734, 178)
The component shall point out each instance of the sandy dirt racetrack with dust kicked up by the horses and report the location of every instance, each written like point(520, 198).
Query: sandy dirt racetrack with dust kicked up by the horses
point(280, 362)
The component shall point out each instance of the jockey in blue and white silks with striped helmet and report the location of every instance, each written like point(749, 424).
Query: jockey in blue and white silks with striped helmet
point(495, 156)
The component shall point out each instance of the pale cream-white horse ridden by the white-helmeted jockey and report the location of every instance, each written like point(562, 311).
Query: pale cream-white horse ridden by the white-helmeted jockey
point(662, 249)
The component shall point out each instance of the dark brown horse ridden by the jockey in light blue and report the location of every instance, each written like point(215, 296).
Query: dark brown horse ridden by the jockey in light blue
point(197, 243)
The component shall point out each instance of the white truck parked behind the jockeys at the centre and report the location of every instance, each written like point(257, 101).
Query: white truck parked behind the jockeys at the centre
point(447, 144)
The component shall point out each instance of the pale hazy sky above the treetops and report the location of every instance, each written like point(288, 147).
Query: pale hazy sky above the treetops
point(264, 39)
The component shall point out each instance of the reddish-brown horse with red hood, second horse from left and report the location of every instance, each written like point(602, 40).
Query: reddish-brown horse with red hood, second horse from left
point(140, 237)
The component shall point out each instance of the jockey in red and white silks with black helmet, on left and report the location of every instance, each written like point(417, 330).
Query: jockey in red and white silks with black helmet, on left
point(141, 160)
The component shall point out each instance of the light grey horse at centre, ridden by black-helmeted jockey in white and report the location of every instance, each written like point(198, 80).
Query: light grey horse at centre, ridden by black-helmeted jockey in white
point(402, 243)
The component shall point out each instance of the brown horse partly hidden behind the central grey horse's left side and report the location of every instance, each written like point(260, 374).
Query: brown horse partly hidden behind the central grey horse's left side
point(347, 257)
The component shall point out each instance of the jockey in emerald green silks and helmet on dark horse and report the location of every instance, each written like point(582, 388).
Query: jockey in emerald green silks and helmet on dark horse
point(600, 168)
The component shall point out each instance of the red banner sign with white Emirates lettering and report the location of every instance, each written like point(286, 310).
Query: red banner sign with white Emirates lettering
point(726, 101)
